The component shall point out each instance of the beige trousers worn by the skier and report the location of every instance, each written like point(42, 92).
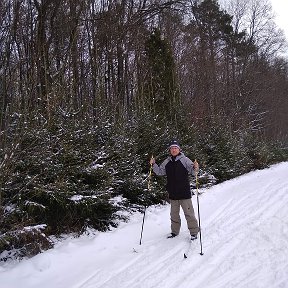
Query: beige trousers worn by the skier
point(188, 210)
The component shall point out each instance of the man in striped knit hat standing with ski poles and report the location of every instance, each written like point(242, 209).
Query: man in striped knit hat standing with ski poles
point(177, 168)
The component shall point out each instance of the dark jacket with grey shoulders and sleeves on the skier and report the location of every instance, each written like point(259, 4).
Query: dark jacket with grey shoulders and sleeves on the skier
point(177, 171)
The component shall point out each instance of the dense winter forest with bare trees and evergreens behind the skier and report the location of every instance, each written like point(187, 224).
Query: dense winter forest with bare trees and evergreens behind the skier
point(91, 89)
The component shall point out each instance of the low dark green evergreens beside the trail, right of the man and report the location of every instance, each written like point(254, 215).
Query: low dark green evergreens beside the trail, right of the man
point(226, 154)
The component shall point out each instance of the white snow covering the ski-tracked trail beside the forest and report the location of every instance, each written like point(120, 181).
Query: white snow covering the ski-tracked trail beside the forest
point(244, 235)
